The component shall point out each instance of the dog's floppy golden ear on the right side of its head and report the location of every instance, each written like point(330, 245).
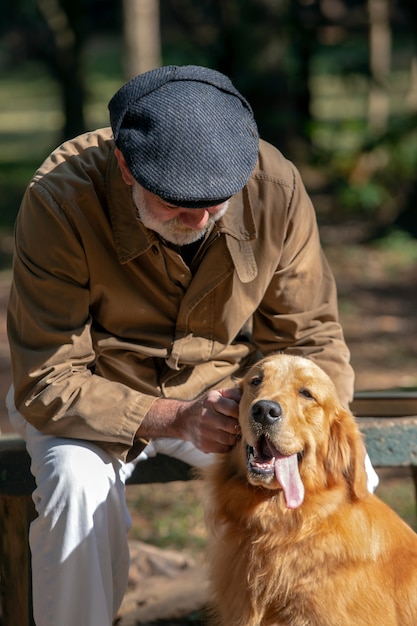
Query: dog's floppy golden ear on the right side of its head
point(346, 453)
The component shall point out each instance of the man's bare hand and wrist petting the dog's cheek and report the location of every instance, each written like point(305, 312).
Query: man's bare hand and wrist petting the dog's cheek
point(209, 422)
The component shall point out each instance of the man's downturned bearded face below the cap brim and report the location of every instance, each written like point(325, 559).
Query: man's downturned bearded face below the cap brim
point(175, 224)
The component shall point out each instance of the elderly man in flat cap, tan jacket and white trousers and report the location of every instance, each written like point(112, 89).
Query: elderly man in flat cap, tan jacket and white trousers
point(154, 262)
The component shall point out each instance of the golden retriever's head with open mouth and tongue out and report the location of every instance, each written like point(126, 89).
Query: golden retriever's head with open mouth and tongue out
point(296, 437)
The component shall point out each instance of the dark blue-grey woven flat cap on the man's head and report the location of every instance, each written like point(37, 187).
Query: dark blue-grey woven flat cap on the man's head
point(186, 133)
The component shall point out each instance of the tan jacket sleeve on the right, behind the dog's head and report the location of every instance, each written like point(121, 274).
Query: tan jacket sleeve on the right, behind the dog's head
point(299, 311)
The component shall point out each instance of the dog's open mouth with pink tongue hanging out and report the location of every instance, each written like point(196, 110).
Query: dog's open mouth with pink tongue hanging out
point(265, 461)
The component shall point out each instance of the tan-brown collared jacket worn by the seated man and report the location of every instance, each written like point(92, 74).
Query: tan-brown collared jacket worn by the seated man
point(104, 316)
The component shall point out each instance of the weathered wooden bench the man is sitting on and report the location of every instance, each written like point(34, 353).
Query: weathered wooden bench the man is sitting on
point(390, 441)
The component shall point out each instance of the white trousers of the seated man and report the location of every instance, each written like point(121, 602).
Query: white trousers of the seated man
point(80, 556)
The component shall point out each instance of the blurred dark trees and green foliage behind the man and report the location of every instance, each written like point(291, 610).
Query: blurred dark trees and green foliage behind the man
point(333, 84)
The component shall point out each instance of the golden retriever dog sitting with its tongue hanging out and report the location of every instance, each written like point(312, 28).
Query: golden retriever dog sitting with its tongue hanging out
point(296, 539)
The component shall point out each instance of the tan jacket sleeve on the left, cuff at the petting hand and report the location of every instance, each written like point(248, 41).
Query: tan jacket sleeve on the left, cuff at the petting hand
point(52, 354)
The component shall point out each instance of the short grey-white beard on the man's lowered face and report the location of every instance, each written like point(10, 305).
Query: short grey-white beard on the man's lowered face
point(172, 230)
